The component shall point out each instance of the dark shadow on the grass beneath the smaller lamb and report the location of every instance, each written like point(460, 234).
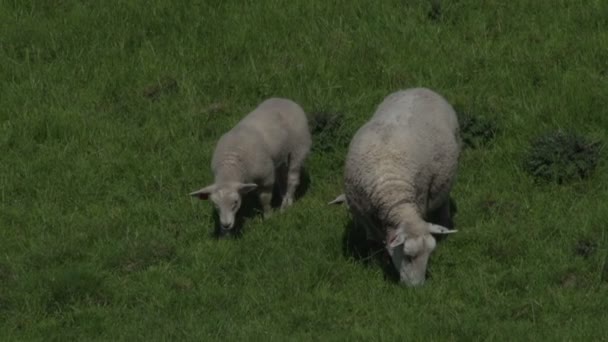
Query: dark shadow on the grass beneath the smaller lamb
point(251, 205)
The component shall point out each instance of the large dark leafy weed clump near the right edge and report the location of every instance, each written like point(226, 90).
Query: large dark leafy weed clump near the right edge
point(561, 157)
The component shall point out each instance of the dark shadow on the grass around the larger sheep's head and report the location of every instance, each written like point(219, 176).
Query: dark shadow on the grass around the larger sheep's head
point(356, 246)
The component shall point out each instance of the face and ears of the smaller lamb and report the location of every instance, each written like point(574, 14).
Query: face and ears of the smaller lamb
point(226, 198)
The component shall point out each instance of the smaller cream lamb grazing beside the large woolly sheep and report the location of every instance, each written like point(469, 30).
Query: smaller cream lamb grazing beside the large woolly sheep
point(248, 157)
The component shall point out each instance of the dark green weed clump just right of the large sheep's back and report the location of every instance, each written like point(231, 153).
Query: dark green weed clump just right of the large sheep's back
point(476, 131)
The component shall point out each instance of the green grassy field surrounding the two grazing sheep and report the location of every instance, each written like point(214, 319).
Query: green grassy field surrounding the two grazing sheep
point(109, 112)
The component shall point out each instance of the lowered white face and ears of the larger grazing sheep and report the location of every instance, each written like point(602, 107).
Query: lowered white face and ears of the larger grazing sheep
point(410, 253)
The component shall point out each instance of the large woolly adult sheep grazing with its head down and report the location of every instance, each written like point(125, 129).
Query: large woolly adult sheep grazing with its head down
point(400, 167)
